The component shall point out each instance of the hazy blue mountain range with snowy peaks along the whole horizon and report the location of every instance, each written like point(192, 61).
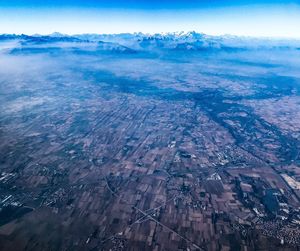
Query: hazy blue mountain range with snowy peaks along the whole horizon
point(140, 42)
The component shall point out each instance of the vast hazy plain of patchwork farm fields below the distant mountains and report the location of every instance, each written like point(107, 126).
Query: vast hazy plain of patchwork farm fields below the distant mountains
point(104, 147)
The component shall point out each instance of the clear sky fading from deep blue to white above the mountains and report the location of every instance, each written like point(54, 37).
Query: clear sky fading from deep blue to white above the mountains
point(259, 18)
